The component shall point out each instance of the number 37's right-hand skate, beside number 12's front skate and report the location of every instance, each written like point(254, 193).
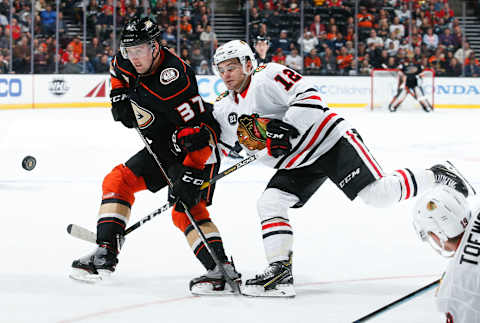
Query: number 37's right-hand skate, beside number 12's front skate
point(214, 283)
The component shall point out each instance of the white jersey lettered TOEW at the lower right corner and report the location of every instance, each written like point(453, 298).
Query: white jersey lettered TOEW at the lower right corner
point(459, 291)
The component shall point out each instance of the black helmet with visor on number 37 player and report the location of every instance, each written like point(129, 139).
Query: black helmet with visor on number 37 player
point(138, 31)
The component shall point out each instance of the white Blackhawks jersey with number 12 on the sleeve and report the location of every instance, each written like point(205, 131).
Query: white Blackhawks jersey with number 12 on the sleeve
point(276, 91)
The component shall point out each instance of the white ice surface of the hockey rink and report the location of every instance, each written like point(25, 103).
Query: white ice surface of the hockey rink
point(349, 259)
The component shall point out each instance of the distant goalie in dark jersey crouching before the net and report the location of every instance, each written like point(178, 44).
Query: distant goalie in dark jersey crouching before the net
point(408, 84)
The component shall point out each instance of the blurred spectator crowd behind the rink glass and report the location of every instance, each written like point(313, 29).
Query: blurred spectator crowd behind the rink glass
point(325, 46)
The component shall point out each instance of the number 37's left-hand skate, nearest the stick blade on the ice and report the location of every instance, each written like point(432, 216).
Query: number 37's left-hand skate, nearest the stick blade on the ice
point(97, 266)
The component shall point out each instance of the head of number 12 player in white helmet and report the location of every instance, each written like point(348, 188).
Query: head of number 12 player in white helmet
point(234, 62)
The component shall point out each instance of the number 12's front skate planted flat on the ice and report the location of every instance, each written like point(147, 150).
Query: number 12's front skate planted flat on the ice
point(275, 281)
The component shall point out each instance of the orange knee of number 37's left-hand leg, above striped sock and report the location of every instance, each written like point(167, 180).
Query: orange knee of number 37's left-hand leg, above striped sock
point(121, 184)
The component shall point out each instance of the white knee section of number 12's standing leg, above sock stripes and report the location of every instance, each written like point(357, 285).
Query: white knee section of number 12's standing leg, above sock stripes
point(275, 203)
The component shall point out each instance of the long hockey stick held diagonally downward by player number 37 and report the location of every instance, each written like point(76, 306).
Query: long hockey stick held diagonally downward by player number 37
point(212, 253)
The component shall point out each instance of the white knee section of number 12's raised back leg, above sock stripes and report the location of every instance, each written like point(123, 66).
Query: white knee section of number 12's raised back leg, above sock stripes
point(382, 193)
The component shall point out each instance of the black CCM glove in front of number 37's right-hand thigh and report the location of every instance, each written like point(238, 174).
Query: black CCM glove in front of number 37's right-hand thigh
point(186, 186)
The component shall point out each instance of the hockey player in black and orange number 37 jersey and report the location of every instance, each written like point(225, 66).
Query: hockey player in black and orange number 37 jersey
point(156, 91)
